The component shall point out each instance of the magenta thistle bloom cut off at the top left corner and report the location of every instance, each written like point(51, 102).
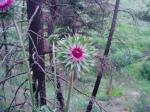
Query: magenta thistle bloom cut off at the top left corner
point(5, 4)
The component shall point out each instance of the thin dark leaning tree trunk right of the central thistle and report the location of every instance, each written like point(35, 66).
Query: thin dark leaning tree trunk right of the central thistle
point(102, 65)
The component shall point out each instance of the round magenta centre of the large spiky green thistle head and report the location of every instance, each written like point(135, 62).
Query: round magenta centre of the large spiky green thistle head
point(77, 54)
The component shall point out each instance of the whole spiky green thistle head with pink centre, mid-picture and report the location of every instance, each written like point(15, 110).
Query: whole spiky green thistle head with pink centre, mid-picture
point(76, 54)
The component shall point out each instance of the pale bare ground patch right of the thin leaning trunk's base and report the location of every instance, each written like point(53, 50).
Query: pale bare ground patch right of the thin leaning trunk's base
point(119, 104)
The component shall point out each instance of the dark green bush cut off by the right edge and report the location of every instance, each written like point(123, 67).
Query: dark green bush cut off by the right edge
point(145, 70)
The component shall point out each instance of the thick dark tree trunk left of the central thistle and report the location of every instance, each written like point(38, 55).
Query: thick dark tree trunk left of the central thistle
point(36, 55)
